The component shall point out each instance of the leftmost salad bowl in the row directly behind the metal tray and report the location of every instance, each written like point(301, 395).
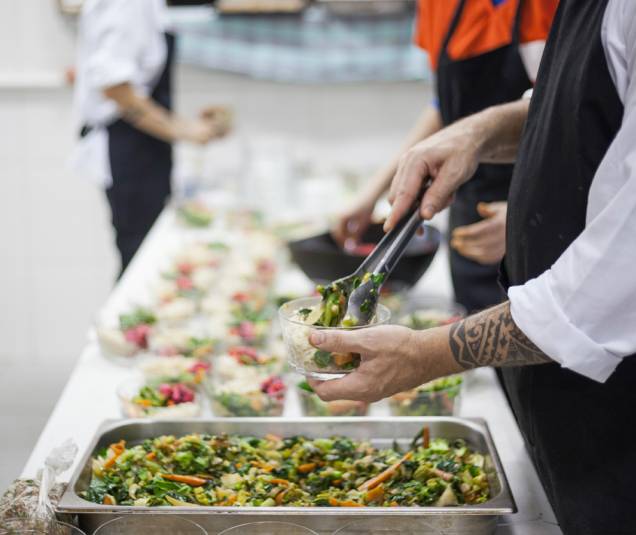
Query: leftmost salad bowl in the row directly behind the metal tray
point(160, 399)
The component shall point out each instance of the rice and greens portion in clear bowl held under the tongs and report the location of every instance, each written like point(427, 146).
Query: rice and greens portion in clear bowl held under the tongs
point(300, 317)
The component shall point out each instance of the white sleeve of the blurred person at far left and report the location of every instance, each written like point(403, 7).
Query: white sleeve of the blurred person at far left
point(113, 57)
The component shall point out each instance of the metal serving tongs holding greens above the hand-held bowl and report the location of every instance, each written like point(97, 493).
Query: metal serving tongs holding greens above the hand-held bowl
point(363, 290)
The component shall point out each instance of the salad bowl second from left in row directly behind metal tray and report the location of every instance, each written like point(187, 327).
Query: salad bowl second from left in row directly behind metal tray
point(249, 396)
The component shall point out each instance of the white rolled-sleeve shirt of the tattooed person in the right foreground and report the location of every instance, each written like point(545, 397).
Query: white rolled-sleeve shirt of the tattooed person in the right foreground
point(582, 311)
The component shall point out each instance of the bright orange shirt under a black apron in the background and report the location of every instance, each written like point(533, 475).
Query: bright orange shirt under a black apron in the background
point(482, 27)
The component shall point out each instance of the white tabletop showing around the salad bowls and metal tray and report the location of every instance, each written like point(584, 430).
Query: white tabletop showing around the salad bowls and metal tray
point(89, 396)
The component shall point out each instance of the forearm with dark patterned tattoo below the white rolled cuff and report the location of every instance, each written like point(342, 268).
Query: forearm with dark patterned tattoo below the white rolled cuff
point(491, 338)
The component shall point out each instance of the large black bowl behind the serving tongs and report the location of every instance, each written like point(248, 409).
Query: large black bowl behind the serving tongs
point(323, 260)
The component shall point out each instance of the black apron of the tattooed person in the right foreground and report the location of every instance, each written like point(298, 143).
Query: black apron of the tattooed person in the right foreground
point(579, 432)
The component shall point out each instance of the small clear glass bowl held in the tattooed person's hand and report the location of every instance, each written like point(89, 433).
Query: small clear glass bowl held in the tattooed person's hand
point(304, 357)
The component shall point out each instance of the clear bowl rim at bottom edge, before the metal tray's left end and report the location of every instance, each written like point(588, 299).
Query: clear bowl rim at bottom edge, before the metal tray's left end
point(155, 524)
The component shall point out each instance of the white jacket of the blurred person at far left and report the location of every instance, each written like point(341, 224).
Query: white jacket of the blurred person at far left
point(119, 41)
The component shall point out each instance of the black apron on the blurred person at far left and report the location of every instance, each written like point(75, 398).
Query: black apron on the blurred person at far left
point(141, 166)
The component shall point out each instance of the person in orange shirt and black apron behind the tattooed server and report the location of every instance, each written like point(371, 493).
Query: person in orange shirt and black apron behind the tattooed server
point(483, 52)
